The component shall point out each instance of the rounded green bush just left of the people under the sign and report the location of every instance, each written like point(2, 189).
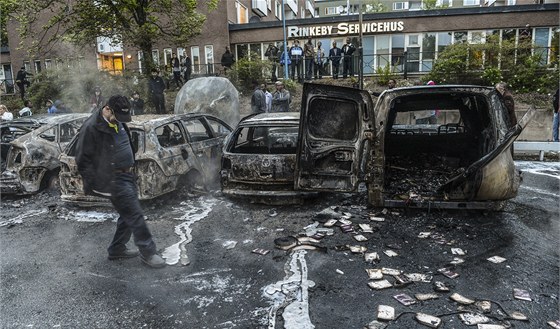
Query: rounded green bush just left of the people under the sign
point(248, 69)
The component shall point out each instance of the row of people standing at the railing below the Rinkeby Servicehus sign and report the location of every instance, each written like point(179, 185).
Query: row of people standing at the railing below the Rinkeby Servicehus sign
point(314, 59)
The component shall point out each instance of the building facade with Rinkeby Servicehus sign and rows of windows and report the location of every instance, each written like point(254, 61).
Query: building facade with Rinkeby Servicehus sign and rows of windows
point(248, 26)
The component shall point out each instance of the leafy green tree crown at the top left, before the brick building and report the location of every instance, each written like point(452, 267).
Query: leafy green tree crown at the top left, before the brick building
point(134, 23)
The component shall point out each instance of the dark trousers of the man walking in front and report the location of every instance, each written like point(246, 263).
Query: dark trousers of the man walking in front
point(124, 197)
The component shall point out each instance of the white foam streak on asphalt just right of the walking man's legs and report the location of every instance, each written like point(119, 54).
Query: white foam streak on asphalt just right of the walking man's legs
point(193, 211)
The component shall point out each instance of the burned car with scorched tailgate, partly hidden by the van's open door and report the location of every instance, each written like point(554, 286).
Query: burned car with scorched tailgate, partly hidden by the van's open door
point(260, 157)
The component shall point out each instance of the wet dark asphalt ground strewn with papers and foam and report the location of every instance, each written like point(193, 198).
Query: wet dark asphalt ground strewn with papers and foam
point(225, 272)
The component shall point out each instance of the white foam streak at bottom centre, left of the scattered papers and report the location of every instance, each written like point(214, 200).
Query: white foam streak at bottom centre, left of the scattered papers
point(291, 294)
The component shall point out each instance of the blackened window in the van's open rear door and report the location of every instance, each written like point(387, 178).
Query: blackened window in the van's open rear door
point(333, 119)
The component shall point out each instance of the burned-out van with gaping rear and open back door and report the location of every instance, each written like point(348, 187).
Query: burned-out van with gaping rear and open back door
point(427, 146)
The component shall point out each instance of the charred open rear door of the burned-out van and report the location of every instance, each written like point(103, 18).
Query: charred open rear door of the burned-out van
point(335, 124)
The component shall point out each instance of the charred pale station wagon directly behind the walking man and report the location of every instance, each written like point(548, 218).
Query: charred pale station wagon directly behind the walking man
point(171, 151)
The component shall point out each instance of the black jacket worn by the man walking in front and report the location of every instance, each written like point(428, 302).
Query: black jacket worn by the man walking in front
point(96, 143)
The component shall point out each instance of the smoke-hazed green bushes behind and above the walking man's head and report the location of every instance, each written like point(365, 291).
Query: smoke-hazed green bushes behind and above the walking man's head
point(74, 87)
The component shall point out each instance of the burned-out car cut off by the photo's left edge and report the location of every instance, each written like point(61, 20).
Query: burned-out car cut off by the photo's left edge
point(30, 150)
